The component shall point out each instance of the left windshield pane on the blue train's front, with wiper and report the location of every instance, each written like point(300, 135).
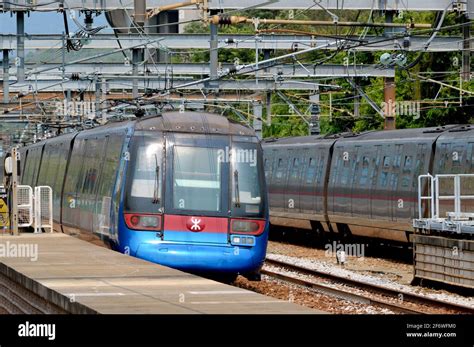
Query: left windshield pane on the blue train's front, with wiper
point(144, 192)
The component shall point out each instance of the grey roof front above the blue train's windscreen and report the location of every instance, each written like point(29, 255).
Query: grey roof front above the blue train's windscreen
point(194, 122)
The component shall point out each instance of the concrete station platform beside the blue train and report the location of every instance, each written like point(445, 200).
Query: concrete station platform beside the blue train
point(68, 275)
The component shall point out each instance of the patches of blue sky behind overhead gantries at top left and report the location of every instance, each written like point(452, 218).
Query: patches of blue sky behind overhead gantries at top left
point(42, 23)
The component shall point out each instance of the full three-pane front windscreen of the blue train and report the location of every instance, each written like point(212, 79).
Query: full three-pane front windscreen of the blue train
point(204, 175)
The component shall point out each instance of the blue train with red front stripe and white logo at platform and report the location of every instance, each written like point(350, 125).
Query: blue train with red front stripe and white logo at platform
point(186, 190)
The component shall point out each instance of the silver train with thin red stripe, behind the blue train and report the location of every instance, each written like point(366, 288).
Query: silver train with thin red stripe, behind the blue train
point(361, 184)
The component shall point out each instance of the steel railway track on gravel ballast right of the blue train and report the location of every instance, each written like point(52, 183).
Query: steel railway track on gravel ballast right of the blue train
point(395, 300)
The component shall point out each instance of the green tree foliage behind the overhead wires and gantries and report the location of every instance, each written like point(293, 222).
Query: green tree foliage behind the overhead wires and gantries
point(439, 104)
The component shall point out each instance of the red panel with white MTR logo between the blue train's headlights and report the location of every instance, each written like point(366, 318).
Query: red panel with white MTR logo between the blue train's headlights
point(196, 224)
